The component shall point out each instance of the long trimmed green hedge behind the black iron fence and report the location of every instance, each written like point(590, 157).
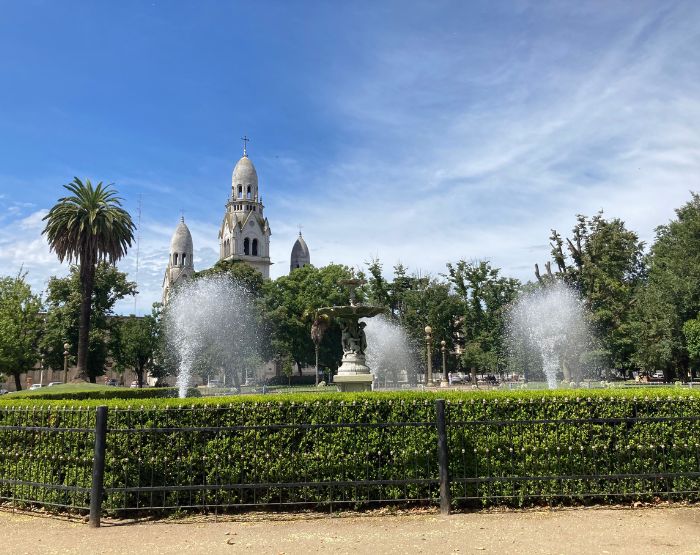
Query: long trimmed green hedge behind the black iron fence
point(556, 459)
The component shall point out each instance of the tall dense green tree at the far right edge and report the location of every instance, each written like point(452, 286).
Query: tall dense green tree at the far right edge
point(671, 296)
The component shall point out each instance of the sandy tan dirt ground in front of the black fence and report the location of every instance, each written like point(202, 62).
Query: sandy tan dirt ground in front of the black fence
point(595, 530)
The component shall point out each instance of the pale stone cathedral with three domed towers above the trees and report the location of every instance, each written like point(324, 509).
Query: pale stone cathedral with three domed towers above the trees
point(244, 233)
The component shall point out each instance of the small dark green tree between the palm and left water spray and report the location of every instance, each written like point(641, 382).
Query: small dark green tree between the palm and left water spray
point(135, 344)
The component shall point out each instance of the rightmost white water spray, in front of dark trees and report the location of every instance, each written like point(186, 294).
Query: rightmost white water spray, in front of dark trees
point(551, 324)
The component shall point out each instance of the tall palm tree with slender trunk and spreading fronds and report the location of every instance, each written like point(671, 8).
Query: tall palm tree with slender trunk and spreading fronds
point(87, 227)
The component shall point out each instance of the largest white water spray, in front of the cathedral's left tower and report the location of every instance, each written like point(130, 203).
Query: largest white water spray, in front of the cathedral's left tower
point(210, 329)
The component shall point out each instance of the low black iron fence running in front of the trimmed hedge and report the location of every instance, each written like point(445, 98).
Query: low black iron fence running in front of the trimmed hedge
point(126, 461)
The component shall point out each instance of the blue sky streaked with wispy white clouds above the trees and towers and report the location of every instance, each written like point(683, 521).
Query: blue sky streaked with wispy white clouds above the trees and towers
point(420, 132)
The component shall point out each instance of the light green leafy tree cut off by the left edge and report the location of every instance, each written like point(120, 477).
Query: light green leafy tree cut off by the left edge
point(20, 327)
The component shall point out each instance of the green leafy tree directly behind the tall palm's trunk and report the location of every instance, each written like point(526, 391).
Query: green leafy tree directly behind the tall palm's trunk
point(62, 325)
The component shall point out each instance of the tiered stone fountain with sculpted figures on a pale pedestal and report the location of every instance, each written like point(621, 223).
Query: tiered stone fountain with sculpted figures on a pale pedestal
point(353, 374)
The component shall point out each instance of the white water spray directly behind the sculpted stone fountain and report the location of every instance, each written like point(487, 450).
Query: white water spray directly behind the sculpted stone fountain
point(390, 354)
